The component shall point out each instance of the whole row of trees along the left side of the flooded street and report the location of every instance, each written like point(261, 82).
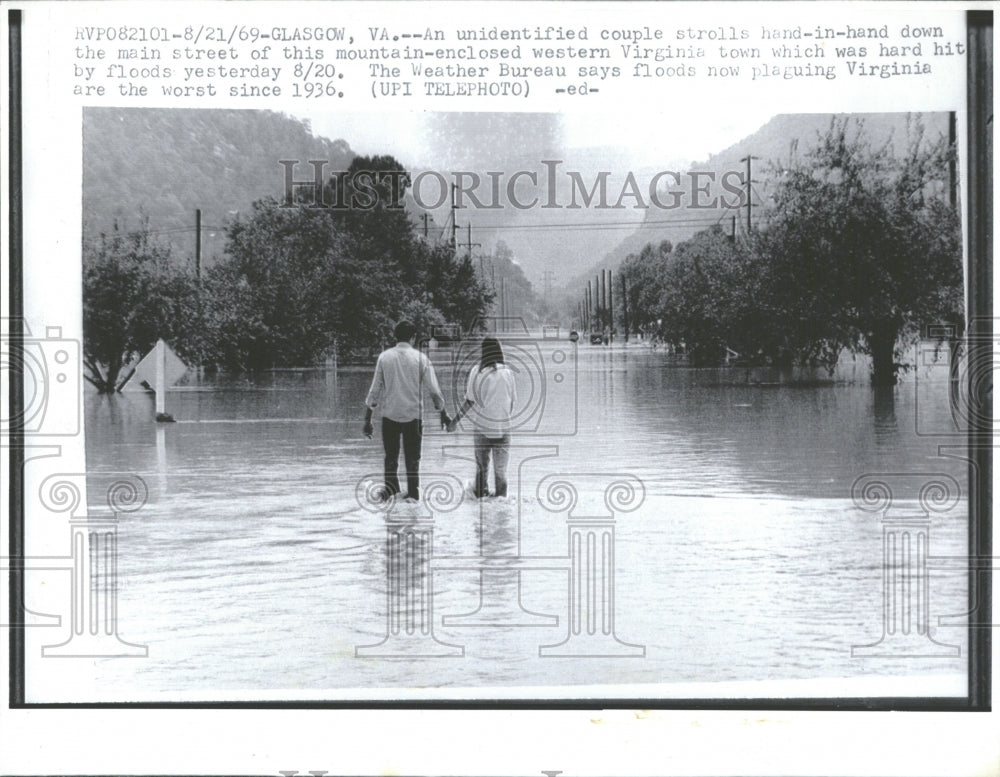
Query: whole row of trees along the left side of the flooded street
point(298, 281)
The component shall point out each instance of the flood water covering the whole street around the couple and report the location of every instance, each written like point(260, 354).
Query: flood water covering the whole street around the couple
point(734, 561)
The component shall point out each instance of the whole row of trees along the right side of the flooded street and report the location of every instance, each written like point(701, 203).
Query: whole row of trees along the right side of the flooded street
point(859, 249)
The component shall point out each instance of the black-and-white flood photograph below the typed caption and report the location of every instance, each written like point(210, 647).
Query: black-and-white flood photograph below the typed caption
point(375, 458)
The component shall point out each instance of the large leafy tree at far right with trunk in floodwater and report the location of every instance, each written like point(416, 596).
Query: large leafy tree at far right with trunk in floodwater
point(863, 247)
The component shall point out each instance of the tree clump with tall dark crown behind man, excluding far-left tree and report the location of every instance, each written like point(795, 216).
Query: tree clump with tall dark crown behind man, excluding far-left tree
point(302, 279)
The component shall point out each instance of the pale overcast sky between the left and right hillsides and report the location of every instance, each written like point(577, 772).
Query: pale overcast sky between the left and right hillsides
point(639, 142)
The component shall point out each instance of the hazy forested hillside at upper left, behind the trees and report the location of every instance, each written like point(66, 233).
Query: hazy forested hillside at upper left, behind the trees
point(161, 165)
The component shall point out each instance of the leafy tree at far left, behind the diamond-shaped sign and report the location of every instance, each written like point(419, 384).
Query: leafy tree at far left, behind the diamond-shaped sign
point(133, 294)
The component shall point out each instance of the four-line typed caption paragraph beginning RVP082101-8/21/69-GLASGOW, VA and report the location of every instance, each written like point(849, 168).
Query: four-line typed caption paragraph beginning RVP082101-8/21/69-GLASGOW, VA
point(379, 63)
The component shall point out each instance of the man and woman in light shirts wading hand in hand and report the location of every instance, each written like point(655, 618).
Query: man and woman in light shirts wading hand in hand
point(490, 397)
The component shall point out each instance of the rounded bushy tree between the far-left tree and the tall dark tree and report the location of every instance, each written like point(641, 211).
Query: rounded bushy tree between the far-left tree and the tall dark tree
point(302, 283)
